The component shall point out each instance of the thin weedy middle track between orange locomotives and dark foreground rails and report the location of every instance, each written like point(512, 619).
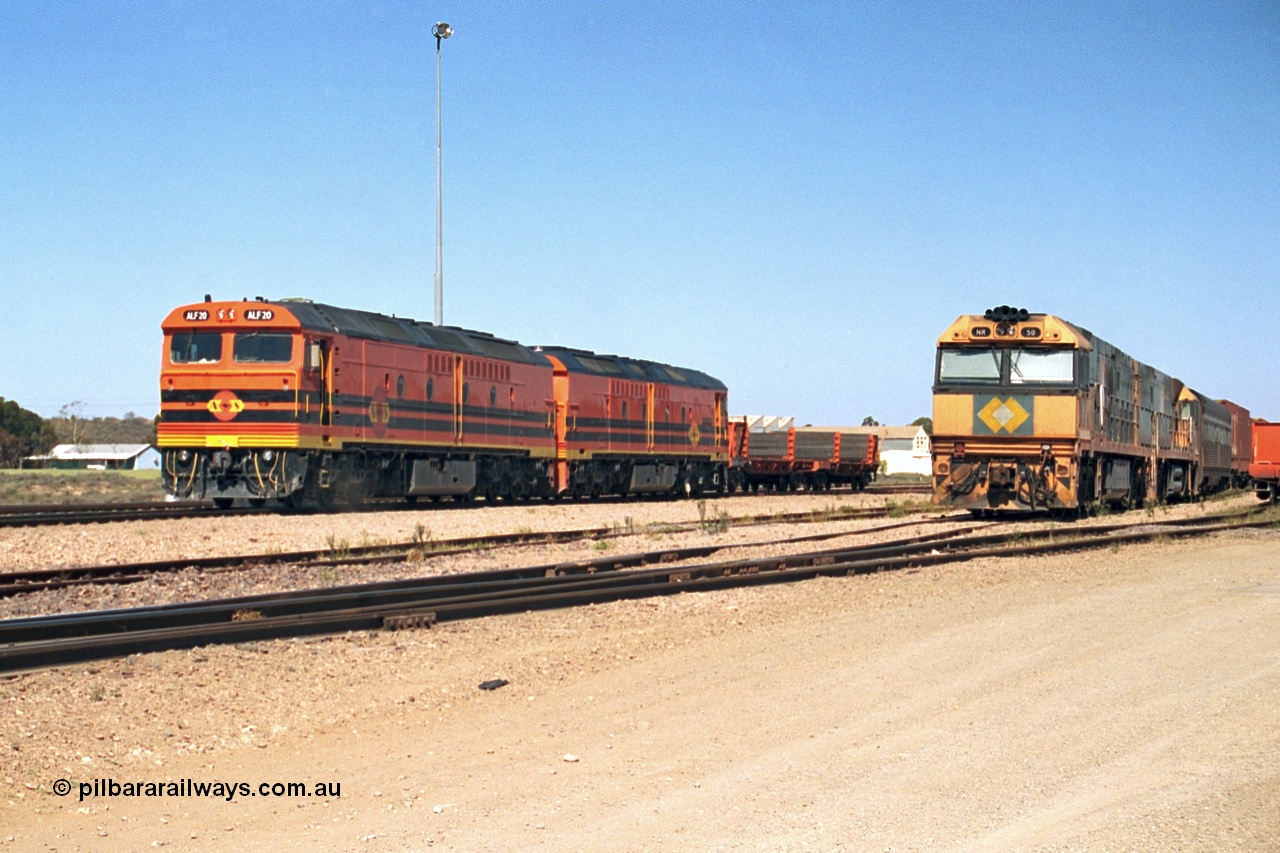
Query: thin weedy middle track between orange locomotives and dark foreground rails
point(31, 581)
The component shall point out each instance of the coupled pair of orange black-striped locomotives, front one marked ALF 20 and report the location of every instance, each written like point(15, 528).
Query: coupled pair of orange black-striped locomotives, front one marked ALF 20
point(318, 405)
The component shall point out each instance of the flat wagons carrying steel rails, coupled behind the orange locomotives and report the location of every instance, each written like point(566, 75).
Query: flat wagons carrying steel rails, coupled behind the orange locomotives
point(811, 458)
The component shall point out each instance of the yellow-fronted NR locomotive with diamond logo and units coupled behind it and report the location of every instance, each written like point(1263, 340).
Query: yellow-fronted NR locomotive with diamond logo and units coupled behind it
point(1031, 412)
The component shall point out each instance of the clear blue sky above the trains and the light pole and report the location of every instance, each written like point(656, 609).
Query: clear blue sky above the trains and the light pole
point(794, 198)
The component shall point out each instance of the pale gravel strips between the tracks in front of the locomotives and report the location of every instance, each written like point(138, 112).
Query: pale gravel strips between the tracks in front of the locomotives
point(68, 546)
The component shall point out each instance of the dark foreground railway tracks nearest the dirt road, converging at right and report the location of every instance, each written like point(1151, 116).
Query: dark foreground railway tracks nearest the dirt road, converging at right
point(49, 641)
